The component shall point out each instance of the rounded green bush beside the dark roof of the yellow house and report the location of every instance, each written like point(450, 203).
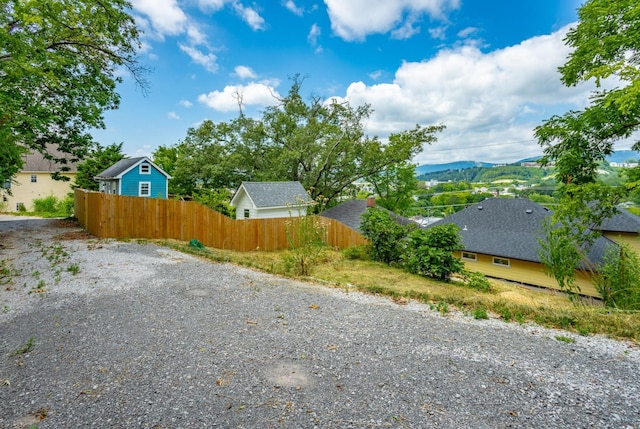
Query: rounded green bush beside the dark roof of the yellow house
point(430, 252)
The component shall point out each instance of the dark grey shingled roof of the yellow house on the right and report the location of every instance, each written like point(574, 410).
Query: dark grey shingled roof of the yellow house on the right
point(509, 228)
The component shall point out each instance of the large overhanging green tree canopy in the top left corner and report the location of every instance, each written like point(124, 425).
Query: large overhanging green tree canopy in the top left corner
point(59, 65)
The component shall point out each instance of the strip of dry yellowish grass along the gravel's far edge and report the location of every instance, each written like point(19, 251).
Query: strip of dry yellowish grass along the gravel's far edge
point(510, 302)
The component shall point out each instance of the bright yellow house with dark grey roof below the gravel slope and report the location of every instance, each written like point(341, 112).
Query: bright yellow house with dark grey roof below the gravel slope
point(500, 239)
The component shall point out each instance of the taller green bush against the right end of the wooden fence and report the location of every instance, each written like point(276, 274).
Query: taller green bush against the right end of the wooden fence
point(386, 236)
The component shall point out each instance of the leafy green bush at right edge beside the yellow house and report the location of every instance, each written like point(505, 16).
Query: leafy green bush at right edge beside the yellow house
point(618, 280)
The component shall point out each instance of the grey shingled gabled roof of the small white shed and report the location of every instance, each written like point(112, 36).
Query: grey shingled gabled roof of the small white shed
point(274, 194)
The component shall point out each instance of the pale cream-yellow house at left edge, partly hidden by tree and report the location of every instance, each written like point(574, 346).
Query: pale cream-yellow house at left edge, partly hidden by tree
point(34, 181)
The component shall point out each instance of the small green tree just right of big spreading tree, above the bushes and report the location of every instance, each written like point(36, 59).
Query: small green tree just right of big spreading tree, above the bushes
point(396, 186)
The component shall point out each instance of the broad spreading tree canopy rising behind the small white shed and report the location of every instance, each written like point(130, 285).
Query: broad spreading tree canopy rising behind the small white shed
point(321, 144)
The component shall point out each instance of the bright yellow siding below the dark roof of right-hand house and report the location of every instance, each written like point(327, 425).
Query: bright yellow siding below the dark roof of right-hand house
point(526, 272)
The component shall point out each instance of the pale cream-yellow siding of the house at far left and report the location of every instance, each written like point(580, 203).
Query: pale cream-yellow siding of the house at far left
point(24, 191)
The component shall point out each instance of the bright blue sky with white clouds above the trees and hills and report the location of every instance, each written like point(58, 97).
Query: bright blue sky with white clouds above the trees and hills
point(486, 69)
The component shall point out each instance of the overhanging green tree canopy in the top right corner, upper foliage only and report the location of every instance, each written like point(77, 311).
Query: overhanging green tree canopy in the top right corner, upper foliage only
point(606, 45)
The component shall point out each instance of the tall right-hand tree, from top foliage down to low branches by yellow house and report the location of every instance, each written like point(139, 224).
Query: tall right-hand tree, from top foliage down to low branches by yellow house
point(606, 45)
